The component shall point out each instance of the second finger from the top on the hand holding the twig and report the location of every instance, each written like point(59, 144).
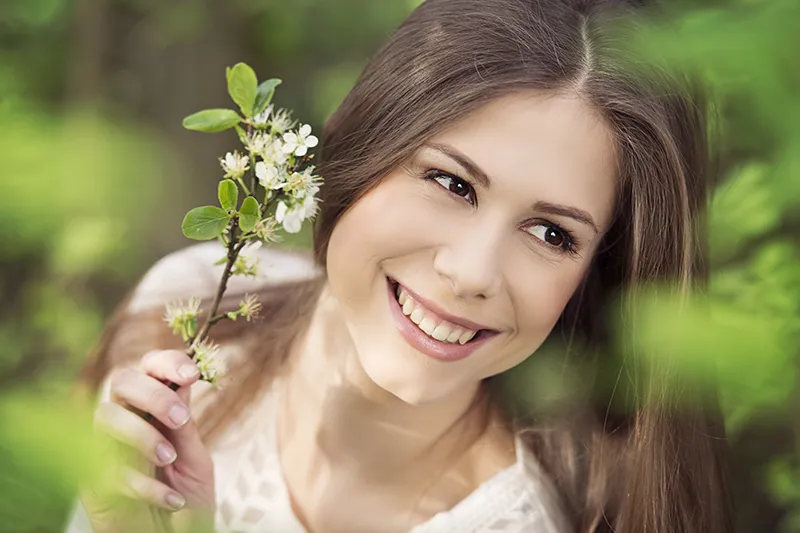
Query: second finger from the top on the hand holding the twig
point(150, 396)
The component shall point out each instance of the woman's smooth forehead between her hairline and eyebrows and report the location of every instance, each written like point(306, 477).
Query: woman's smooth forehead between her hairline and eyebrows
point(555, 146)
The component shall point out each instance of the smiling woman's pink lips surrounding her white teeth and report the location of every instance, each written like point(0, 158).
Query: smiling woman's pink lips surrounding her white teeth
point(418, 340)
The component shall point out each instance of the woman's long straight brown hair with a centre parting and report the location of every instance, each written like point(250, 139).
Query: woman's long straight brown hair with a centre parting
point(659, 467)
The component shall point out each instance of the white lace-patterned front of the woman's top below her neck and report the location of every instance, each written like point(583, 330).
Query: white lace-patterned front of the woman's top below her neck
point(252, 495)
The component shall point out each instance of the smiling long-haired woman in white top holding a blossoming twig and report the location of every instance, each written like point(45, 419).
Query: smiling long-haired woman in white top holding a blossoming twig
point(494, 179)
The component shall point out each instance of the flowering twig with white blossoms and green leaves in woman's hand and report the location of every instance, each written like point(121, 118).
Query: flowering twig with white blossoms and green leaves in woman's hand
point(276, 159)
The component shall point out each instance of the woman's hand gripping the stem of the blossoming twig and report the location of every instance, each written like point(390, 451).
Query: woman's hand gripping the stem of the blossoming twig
point(170, 441)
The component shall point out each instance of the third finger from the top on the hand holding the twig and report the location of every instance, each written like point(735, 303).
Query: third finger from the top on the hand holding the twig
point(131, 429)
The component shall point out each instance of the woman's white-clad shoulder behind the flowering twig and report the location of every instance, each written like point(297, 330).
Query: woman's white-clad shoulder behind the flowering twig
point(191, 271)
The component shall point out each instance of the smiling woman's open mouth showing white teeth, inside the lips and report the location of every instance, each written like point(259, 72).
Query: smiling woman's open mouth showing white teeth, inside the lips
point(437, 328)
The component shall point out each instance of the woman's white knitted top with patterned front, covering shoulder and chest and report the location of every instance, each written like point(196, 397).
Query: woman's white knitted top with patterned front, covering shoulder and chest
point(251, 493)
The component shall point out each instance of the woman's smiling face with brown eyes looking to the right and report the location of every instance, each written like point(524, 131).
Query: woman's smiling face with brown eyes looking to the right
point(484, 235)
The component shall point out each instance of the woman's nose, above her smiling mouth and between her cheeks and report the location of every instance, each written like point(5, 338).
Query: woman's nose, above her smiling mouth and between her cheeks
point(470, 264)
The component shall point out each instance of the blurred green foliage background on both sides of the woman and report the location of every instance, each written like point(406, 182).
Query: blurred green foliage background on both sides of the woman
point(96, 174)
